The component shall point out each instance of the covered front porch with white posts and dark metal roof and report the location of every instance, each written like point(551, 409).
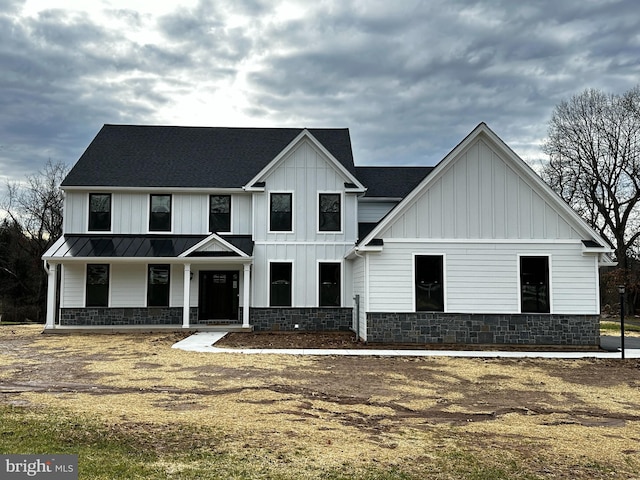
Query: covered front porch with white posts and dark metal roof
point(192, 283)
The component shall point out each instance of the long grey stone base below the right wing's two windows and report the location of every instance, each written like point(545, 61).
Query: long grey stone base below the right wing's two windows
point(521, 329)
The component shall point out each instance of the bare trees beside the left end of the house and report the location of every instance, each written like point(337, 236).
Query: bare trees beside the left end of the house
point(34, 210)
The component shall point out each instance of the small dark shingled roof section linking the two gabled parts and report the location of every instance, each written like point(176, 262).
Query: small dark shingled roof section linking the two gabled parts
point(394, 182)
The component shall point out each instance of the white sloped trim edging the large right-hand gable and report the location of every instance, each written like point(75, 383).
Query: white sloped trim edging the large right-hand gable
point(482, 130)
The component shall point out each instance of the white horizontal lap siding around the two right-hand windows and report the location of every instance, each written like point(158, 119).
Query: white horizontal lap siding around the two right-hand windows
point(483, 277)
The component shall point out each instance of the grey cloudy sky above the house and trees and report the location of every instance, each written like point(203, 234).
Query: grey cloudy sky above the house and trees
point(409, 78)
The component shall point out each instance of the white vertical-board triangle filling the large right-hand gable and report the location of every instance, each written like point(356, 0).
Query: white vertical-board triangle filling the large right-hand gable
point(480, 196)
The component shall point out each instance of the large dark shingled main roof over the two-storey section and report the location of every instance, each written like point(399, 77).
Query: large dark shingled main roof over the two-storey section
point(190, 157)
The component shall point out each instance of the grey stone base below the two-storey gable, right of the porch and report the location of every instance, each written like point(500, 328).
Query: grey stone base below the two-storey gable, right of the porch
point(325, 319)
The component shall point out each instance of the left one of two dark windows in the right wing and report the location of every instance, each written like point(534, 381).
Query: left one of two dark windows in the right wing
point(428, 283)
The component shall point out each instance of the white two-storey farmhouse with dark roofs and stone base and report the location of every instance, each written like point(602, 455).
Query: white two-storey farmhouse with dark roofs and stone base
point(277, 229)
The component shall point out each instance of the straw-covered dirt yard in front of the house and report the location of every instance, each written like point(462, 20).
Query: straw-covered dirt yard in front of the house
point(420, 416)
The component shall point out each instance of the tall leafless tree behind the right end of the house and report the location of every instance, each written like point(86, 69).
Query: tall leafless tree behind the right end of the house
point(594, 164)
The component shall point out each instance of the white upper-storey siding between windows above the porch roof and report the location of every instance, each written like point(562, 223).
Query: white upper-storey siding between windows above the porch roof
point(130, 213)
